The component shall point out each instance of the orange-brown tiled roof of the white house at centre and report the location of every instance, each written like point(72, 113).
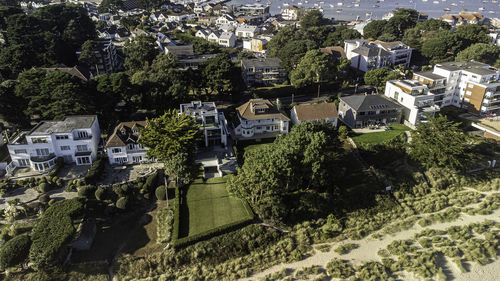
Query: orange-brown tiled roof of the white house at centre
point(246, 111)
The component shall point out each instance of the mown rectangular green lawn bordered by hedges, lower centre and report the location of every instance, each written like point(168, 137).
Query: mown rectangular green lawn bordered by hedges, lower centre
point(209, 206)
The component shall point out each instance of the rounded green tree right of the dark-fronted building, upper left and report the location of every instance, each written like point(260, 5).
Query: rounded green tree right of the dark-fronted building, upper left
point(140, 52)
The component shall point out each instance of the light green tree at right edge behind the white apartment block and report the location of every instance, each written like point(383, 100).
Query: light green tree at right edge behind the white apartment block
point(482, 52)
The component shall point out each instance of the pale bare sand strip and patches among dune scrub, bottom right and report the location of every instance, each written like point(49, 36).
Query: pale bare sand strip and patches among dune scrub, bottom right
point(368, 248)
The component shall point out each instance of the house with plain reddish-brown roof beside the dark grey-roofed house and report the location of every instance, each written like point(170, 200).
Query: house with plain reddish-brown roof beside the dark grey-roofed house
point(315, 112)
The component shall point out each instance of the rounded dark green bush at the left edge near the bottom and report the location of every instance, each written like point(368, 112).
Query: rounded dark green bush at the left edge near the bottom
point(14, 251)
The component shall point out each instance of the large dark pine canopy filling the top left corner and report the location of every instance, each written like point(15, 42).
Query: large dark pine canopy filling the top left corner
point(49, 36)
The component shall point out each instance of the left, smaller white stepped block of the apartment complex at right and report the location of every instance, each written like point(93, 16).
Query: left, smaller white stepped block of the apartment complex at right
point(416, 99)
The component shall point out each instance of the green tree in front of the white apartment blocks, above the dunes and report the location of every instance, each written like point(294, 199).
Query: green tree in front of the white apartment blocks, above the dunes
point(440, 143)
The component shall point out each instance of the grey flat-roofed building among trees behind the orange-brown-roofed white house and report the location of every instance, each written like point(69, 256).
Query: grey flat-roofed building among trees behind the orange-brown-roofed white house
point(265, 71)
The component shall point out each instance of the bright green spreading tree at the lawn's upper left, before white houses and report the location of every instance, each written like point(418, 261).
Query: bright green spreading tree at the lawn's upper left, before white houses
point(170, 134)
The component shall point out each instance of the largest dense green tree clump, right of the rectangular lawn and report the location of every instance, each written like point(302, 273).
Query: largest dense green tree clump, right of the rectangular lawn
point(280, 180)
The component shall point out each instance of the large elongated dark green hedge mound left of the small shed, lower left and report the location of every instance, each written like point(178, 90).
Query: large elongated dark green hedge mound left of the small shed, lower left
point(53, 231)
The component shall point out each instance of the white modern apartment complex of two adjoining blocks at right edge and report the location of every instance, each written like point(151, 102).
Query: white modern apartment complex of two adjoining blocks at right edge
point(470, 85)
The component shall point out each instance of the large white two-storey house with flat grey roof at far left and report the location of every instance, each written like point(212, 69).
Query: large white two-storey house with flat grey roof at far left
point(74, 138)
